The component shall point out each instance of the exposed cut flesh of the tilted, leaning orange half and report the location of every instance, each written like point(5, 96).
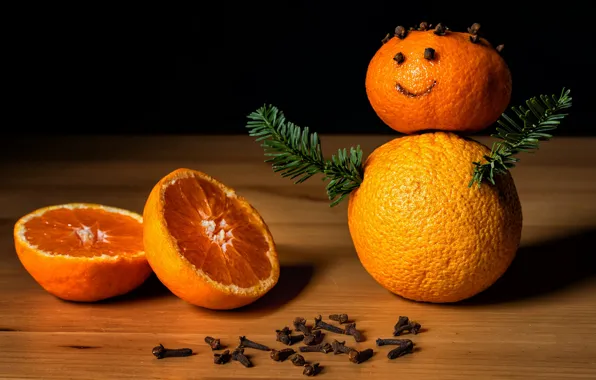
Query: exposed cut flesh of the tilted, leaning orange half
point(216, 233)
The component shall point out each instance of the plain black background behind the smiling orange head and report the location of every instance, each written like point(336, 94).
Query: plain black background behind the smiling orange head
point(103, 70)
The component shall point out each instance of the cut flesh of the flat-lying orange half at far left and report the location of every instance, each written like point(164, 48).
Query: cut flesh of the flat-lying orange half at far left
point(85, 232)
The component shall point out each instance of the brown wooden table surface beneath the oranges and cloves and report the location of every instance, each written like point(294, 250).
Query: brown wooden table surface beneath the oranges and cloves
point(538, 321)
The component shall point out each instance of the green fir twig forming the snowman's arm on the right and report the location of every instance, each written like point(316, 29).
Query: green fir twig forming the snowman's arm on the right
point(542, 115)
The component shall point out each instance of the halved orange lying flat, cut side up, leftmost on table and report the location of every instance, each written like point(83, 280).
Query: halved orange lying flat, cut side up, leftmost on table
point(83, 252)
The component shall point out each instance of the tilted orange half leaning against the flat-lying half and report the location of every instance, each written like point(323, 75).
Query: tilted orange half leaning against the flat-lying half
point(208, 245)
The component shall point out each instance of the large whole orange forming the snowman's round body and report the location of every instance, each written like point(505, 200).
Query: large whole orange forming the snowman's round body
point(420, 231)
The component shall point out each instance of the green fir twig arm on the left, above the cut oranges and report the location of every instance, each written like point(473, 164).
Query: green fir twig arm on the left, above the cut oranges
point(295, 152)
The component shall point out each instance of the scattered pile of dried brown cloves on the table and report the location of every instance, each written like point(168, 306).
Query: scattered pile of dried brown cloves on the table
point(312, 339)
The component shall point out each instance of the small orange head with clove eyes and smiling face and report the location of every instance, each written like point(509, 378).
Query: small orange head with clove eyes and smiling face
point(457, 86)
